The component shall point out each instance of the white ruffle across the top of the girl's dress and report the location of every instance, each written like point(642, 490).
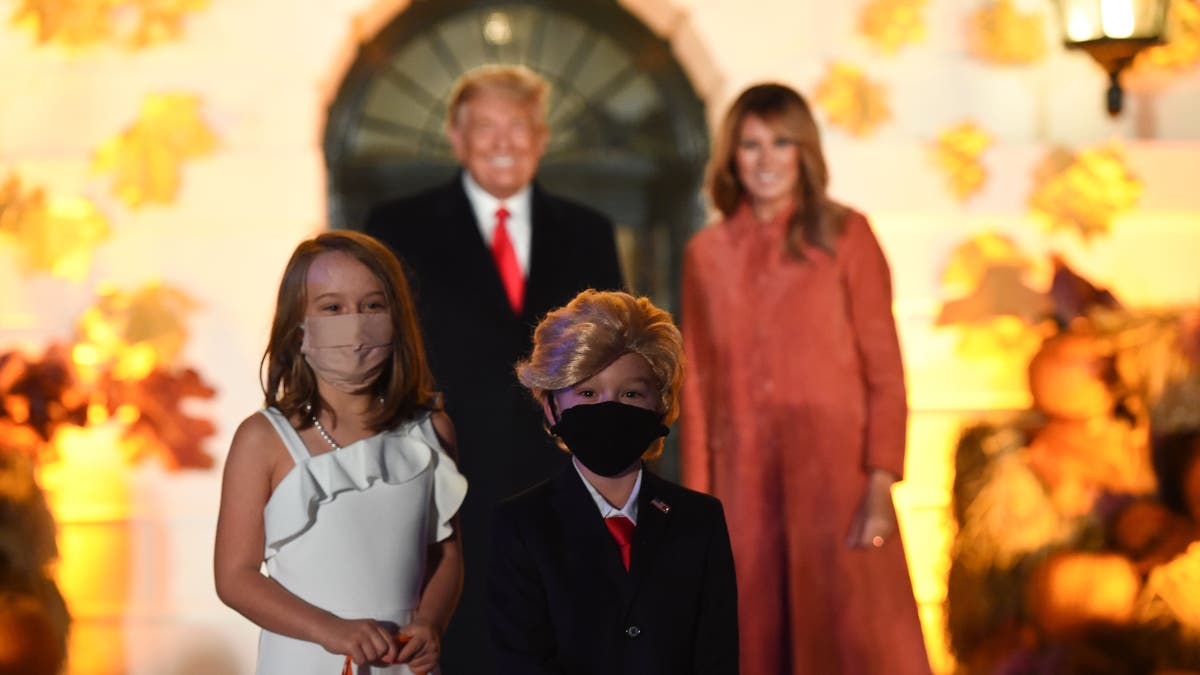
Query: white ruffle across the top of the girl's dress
point(393, 457)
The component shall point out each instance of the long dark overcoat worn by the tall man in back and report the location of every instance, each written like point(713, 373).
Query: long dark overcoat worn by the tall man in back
point(473, 341)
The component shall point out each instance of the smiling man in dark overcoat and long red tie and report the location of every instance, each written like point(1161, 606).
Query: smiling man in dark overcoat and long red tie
point(489, 254)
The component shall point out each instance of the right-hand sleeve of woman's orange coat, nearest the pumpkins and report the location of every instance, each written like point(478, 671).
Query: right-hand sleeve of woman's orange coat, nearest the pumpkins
point(868, 282)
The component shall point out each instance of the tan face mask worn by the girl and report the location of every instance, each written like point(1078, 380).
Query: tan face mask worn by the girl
point(349, 351)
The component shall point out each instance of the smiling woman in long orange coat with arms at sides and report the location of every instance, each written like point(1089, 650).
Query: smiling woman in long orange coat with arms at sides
point(796, 403)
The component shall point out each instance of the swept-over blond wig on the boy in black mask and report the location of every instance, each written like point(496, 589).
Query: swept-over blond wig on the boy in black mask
point(583, 338)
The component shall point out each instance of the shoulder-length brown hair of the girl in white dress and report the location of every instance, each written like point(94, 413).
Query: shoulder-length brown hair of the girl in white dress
point(404, 389)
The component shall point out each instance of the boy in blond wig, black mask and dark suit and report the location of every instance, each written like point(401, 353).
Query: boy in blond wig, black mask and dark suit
point(605, 568)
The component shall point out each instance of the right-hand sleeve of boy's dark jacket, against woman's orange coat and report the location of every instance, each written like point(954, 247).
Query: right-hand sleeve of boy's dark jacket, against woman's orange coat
point(717, 636)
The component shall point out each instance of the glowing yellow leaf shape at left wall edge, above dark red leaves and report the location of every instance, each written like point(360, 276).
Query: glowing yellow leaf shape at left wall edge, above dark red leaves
point(56, 236)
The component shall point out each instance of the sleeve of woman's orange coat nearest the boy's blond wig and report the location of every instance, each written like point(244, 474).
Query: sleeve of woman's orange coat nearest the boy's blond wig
point(694, 455)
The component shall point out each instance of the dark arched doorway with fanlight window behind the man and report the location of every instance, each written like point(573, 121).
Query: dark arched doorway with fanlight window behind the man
point(628, 132)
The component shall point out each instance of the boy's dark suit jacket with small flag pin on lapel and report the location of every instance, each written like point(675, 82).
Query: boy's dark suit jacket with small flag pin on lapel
point(561, 602)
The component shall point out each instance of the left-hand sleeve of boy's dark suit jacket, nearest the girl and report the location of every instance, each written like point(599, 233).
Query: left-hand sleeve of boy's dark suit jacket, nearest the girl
point(518, 610)
